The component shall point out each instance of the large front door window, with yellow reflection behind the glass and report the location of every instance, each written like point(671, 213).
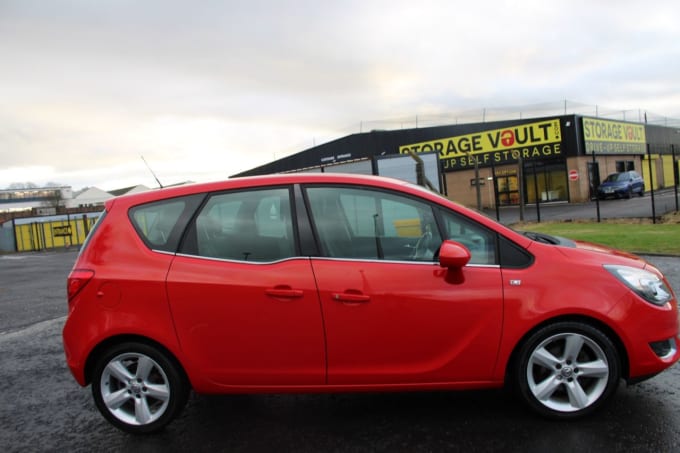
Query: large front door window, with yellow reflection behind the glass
point(372, 224)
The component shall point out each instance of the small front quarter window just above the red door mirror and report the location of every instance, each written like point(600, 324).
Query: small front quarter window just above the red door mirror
point(480, 241)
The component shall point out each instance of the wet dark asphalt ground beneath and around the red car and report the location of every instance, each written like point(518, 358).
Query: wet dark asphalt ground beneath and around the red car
point(43, 409)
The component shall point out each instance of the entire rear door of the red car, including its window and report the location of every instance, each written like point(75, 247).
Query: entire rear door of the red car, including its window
point(244, 303)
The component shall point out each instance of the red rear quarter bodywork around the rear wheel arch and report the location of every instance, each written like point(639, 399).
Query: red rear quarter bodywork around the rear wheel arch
point(120, 300)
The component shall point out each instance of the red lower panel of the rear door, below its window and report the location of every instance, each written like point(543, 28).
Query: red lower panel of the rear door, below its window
point(273, 308)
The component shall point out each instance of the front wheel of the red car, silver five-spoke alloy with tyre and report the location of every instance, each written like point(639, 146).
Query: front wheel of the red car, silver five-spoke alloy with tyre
point(567, 370)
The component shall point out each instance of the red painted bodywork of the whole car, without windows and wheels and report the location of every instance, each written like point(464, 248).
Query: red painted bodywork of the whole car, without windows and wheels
point(316, 324)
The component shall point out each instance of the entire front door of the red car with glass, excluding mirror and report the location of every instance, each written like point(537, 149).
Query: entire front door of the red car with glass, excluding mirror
point(392, 314)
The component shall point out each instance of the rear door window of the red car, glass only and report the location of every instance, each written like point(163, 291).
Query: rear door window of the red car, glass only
point(251, 225)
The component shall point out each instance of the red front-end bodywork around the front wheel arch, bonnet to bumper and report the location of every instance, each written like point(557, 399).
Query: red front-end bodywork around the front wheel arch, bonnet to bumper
point(592, 293)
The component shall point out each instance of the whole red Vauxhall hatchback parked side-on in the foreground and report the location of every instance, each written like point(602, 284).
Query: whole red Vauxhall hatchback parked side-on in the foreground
point(329, 283)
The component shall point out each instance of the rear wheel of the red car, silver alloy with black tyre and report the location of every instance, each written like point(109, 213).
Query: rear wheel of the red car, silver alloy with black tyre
point(138, 388)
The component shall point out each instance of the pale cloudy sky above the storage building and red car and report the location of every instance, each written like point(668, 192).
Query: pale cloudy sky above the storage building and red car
point(205, 89)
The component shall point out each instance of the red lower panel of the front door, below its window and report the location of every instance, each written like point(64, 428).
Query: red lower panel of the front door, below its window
point(405, 323)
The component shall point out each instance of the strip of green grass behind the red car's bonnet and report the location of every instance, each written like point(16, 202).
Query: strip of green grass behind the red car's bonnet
point(632, 235)
